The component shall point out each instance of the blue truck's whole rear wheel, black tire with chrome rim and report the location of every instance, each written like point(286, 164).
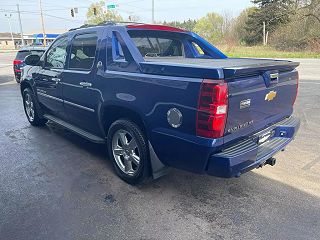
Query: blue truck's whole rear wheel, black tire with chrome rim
point(128, 150)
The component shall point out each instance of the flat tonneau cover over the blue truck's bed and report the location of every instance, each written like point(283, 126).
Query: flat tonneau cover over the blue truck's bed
point(213, 68)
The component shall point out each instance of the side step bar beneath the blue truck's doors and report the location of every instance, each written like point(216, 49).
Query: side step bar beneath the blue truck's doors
point(75, 129)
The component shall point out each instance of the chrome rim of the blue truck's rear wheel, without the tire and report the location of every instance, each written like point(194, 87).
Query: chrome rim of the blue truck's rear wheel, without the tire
point(126, 152)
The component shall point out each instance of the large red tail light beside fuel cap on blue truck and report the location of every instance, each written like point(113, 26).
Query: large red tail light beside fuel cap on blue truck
point(212, 109)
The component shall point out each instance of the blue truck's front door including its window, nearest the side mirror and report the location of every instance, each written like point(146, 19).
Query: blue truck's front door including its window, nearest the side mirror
point(48, 78)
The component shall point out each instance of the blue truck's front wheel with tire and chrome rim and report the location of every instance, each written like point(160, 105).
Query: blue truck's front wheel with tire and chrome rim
point(31, 108)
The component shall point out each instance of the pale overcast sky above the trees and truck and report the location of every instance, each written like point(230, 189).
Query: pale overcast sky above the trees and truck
point(57, 12)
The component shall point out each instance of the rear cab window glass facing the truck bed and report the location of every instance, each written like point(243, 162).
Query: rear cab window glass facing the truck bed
point(151, 45)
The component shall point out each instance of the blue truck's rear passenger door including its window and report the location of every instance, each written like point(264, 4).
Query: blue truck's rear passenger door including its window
point(80, 96)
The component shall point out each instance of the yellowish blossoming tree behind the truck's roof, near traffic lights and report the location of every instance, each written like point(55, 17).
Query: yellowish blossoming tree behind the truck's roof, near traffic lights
point(102, 15)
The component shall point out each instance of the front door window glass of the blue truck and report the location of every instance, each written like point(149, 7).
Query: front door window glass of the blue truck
point(56, 55)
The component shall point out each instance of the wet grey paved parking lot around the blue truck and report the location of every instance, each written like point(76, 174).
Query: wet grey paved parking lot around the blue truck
point(55, 185)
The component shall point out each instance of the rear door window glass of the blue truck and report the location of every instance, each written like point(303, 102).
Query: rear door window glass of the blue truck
point(83, 50)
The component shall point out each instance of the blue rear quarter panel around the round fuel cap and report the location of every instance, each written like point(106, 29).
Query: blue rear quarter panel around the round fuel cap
point(152, 96)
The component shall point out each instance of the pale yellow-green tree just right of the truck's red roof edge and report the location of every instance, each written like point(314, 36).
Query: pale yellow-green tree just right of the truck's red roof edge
point(210, 27)
